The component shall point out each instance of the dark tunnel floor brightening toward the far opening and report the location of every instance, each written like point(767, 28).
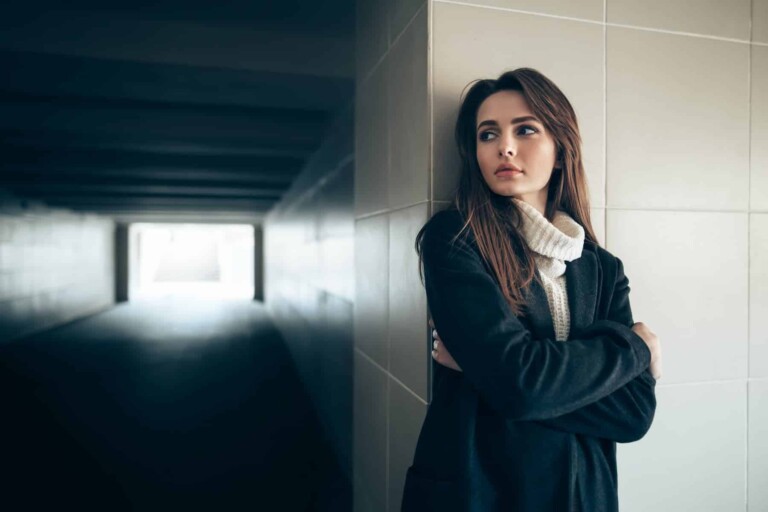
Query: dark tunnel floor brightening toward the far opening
point(162, 404)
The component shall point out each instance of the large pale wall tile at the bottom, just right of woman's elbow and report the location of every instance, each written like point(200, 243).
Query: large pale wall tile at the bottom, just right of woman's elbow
point(694, 454)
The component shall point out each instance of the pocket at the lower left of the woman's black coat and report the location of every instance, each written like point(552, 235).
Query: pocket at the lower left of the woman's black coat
point(424, 493)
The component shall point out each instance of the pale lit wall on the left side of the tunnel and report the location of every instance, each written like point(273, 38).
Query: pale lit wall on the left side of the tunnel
point(55, 266)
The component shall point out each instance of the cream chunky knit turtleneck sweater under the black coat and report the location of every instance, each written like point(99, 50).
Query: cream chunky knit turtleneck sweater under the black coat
point(553, 243)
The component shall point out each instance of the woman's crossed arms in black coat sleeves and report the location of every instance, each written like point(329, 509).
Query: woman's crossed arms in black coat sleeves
point(597, 385)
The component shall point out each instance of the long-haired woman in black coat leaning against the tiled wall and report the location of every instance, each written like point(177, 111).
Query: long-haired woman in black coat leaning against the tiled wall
point(541, 367)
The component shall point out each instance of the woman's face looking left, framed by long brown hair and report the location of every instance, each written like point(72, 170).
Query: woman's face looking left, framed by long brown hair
point(515, 153)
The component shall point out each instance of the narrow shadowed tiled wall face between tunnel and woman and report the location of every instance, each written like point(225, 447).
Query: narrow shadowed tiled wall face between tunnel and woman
point(392, 190)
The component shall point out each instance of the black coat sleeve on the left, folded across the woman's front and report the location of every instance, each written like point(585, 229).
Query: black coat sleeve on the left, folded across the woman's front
point(521, 377)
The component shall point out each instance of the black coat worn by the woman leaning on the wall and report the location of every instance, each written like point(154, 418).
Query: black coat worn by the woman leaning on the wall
point(531, 423)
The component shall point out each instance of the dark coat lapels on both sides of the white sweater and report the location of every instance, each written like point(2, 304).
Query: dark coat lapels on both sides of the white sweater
point(582, 278)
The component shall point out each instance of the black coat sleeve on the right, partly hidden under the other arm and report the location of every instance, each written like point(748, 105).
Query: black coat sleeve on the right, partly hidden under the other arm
point(626, 414)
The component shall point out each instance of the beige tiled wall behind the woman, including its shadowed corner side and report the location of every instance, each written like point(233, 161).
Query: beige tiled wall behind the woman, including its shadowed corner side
point(672, 104)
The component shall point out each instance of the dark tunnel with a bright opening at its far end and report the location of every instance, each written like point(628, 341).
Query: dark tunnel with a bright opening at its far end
point(183, 115)
